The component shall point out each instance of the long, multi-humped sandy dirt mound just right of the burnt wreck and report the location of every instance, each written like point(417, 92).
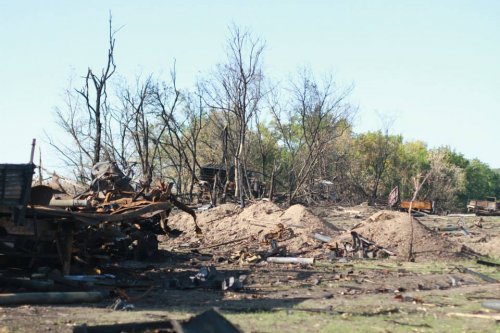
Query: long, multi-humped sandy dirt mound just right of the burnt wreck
point(230, 223)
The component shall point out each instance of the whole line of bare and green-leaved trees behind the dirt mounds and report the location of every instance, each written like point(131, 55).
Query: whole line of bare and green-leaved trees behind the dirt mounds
point(297, 136)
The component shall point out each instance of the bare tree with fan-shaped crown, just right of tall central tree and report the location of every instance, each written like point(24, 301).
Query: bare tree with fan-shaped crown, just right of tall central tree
point(315, 116)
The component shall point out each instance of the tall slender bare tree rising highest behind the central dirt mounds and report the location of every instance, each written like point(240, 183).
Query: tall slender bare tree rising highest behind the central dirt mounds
point(236, 91)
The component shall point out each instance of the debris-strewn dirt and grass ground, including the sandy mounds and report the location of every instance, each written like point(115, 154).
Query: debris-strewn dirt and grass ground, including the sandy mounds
point(359, 278)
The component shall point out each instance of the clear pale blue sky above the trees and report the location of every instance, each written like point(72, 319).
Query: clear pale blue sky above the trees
point(432, 66)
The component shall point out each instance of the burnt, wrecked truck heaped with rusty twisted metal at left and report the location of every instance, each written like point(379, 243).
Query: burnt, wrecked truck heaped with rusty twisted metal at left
point(39, 228)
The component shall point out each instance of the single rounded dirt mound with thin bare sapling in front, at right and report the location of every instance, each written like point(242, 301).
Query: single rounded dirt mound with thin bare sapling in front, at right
point(392, 230)
